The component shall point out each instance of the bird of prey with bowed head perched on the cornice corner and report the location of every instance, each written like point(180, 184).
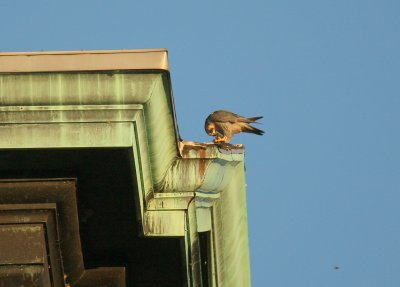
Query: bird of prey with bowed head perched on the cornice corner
point(223, 125)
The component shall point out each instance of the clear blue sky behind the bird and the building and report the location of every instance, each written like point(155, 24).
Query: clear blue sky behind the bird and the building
point(323, 182)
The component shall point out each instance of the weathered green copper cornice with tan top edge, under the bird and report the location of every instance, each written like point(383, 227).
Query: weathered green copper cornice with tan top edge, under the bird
point(94, 99)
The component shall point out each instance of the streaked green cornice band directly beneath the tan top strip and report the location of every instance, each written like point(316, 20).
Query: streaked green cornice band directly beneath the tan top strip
point(77, 88)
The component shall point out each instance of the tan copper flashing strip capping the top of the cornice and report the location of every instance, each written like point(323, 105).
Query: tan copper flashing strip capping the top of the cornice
point(68, 61)
